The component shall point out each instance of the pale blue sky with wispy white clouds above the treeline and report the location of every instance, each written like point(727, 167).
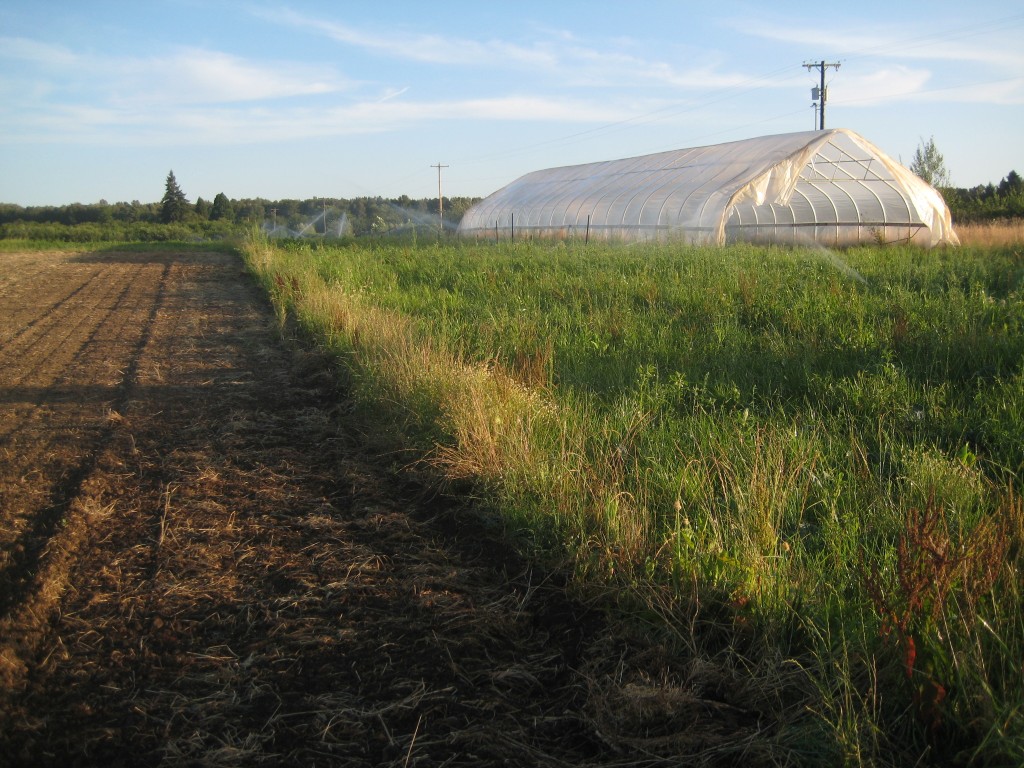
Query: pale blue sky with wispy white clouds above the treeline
point(343, 100)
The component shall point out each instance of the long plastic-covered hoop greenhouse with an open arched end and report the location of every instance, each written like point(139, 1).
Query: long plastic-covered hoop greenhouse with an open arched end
point(831, 188)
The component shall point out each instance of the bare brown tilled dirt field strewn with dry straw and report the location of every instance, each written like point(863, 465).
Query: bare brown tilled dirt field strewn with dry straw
point(200, 567)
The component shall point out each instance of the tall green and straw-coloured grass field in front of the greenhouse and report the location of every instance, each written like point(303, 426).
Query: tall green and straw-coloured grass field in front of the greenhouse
point(802, 461)
